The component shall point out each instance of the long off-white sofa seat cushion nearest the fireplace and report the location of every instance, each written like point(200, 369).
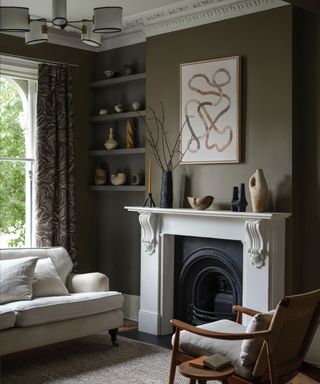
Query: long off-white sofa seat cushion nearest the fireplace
point(44, 310)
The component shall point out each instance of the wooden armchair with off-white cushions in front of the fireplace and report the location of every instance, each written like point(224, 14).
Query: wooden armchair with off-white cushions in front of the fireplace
point(270, 349)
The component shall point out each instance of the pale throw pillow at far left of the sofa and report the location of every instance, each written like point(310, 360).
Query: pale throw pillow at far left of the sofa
point(16, 279)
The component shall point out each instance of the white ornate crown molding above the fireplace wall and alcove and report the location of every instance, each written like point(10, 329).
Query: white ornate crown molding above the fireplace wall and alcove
point(181, 15)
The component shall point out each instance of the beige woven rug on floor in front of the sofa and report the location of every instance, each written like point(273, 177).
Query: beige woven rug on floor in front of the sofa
point(90, 360)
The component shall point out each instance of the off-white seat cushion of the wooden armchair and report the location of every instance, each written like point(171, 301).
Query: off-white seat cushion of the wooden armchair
point(195, 345)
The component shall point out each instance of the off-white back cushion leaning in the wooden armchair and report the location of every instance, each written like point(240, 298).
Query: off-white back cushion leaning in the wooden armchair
point(250, 348)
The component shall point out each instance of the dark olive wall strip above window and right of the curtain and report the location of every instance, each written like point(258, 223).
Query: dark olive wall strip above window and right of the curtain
point(81, 100)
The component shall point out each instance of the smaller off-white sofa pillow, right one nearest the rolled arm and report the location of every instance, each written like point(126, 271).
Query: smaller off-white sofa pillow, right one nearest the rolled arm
point(46, 281)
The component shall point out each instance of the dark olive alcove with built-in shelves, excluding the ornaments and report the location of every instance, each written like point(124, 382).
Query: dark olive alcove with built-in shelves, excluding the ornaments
point(116, 234)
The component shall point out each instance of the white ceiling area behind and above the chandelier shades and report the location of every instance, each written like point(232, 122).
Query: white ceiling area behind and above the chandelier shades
point(80, 9)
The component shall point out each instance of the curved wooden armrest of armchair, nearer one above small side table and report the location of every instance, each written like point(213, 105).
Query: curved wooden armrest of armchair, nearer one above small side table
point(180, 325)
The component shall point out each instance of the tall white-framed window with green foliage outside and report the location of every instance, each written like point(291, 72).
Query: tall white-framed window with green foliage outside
point(18, 87)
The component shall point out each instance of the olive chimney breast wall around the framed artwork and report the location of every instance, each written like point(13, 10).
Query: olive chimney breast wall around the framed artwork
point(264, 42)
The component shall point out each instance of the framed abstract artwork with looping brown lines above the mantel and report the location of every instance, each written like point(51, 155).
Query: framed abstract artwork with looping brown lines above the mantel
point(210, 111)
